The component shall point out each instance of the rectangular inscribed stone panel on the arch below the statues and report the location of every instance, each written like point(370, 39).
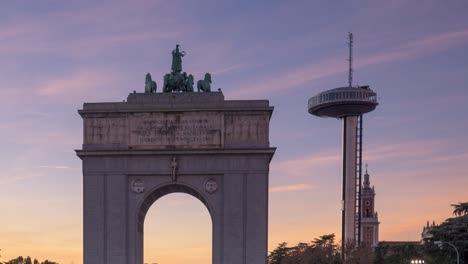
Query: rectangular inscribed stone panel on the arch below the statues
point(187, 130)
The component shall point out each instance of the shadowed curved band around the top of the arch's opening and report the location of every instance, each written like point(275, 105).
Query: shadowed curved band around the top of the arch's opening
point(162, 191)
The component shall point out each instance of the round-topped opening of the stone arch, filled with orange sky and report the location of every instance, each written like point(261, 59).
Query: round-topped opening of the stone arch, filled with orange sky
point(178, 229)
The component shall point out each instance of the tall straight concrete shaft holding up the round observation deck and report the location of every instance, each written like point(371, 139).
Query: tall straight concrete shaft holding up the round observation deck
point(349, 177)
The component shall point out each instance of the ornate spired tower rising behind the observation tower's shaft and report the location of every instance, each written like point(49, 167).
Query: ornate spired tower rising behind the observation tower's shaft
point(369, 217)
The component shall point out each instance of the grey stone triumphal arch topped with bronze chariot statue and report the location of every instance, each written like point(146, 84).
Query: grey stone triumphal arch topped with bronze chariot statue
point(179, 140)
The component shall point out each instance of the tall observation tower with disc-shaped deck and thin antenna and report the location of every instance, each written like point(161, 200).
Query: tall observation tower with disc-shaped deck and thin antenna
point(349, 104)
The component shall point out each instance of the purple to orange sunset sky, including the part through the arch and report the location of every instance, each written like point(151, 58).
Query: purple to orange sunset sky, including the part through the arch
point(55, 55)
